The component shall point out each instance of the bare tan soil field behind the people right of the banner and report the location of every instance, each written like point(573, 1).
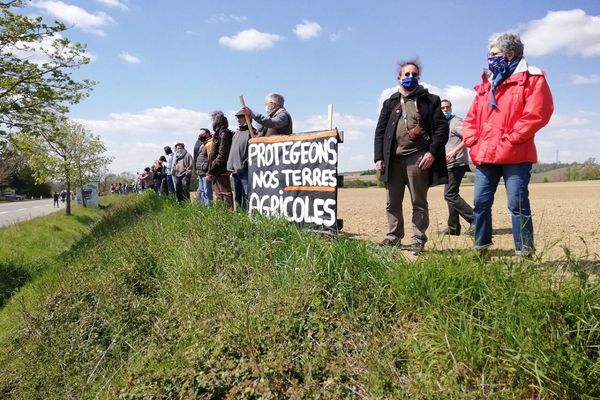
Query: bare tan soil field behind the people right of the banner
point(565, 216)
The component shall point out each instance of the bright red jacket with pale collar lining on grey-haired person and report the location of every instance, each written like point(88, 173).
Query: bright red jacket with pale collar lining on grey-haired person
point(504, 135)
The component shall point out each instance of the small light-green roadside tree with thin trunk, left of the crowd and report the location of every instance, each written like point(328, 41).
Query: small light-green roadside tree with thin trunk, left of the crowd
point(65, 152)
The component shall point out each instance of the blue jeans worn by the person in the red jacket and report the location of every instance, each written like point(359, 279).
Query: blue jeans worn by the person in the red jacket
point(516, 180)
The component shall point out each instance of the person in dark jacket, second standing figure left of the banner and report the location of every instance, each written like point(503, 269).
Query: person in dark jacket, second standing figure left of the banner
point(221, 146)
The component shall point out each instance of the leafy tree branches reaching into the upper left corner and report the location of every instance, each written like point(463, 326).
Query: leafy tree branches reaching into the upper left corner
point(36, 63)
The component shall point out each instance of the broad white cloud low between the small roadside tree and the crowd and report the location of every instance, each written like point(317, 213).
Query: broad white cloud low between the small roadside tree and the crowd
point(137, 139)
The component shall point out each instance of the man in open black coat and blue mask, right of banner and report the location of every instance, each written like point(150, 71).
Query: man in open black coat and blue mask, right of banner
point(410, 140)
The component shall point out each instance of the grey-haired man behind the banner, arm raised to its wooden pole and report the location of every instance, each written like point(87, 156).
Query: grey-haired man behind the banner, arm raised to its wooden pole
point(277, 122)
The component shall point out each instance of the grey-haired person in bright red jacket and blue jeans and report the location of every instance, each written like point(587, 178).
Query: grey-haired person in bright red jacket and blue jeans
point(511, 105)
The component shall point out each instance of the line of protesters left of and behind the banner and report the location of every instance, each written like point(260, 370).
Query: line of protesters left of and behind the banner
point(219, 159)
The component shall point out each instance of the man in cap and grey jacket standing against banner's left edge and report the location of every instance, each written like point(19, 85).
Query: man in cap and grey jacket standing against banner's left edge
point(237, 163)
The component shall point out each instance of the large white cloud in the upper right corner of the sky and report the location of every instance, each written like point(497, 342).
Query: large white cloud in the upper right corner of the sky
point(573, 32)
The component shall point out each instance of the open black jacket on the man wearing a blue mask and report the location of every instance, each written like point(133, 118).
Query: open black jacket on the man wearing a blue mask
point(435, 130)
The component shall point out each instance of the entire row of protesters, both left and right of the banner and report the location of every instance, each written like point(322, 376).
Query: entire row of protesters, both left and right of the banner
point(418, 143)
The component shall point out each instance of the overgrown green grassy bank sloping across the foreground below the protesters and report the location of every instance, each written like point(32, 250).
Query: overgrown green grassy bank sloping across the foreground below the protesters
point(164, 301)
